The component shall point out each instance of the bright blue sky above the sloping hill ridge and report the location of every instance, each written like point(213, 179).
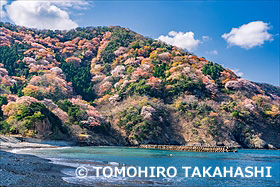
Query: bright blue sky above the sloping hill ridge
point(257, 61)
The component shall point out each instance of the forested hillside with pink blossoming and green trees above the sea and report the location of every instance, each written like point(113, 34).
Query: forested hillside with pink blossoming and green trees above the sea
point(122, 88)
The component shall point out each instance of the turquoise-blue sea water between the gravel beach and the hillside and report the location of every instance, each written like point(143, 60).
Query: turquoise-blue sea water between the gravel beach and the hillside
point(90, 157)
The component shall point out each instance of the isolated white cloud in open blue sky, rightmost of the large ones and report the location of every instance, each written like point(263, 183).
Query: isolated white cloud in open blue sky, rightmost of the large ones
point(249, 35)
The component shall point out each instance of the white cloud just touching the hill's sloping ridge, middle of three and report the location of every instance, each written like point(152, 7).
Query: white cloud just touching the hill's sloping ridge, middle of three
point(180, 39)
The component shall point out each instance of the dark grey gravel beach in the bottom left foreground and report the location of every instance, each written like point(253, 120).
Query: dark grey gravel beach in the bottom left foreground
point(28, 170)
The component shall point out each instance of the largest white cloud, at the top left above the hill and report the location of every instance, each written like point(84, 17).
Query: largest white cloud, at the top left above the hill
point(49, 14)
